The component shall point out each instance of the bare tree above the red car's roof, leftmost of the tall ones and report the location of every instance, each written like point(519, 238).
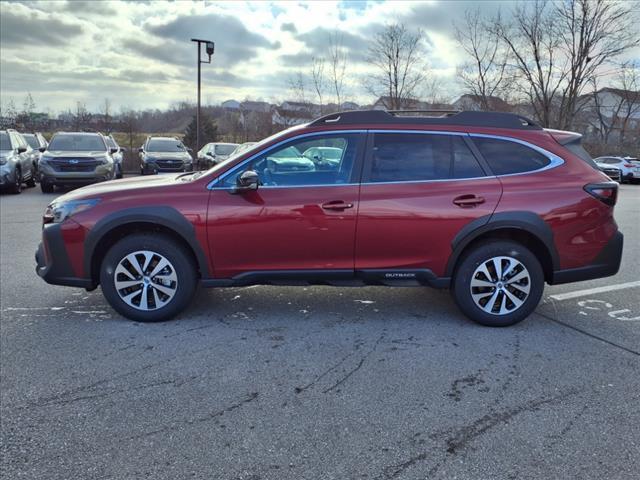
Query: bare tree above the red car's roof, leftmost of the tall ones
point(396, 55)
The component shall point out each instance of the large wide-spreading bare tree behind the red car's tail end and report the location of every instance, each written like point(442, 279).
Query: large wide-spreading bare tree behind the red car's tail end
point(558, 48)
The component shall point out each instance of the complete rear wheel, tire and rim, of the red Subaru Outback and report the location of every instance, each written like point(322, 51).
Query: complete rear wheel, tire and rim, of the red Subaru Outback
point(498, 283)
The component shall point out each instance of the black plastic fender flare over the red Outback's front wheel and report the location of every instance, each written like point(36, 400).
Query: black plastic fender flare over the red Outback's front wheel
point(165, 216)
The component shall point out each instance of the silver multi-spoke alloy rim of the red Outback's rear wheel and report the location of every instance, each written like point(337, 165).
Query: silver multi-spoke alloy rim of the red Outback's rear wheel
point(500, 285)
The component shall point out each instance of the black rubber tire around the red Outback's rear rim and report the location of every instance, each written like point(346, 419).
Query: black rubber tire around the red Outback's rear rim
point(473, 260)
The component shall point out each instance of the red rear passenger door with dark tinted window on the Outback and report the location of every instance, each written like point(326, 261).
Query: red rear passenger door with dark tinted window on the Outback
point(419, 189)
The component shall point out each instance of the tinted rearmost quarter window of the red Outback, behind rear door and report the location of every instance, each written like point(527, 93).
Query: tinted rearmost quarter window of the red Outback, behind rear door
point(506, 157)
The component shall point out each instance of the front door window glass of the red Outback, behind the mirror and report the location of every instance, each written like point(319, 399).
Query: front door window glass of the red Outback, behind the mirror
point(288, 165)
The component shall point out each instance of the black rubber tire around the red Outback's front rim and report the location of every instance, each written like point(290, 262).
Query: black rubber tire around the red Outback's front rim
point(181, 262)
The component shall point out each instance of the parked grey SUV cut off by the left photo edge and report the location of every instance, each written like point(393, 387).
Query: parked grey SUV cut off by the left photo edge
point(16, 166)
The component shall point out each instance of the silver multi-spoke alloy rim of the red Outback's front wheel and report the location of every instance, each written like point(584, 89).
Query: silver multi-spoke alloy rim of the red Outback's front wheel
point(145, 280)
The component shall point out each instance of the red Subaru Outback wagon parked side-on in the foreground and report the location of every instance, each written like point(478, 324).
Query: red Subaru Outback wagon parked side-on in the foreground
point(489, 205)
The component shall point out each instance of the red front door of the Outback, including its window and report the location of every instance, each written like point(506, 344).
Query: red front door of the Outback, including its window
point(302, 216)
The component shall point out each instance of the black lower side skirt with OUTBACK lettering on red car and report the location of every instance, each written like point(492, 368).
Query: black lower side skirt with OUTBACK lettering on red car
point(338, 278)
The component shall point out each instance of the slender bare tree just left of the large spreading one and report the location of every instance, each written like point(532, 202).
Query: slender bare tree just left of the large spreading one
point(485, 74)
